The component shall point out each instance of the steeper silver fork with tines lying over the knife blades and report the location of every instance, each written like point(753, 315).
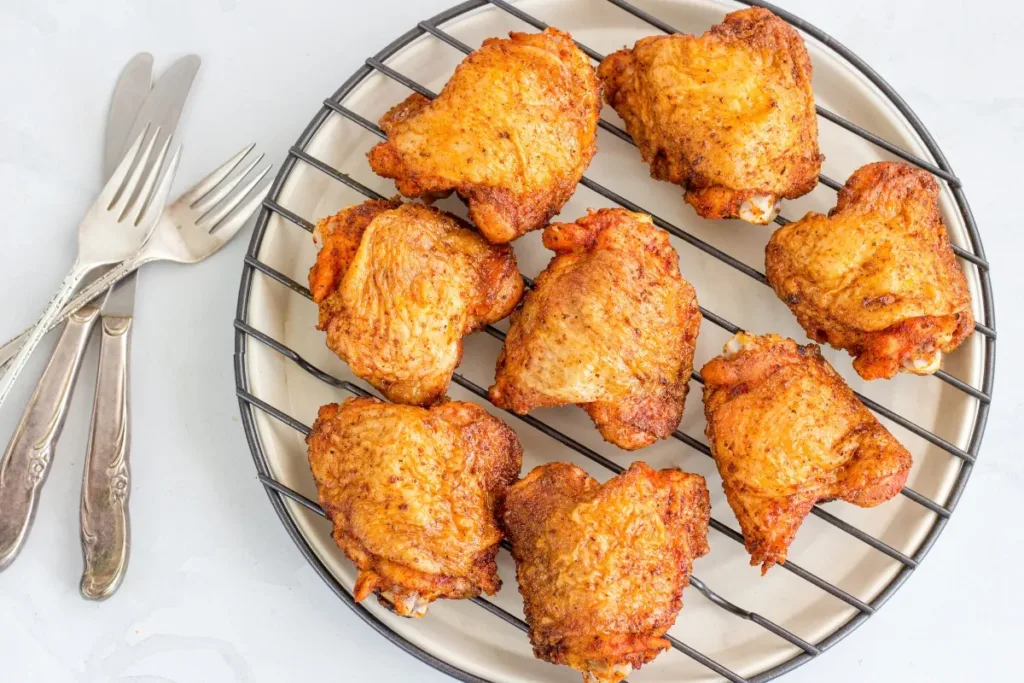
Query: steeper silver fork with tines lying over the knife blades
point(116, 228)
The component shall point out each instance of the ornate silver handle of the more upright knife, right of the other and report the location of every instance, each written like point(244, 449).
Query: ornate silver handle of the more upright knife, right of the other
point(106, 535)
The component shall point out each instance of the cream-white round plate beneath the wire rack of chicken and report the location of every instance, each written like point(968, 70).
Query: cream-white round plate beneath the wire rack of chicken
point(463, 634)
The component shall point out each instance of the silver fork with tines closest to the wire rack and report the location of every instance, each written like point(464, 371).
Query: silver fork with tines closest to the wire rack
point(197, 226)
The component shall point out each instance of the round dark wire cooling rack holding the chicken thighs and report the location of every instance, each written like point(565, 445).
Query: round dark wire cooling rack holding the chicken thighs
point(972, 257)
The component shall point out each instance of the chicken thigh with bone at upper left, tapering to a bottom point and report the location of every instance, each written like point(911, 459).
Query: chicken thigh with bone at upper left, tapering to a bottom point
point(788, 433)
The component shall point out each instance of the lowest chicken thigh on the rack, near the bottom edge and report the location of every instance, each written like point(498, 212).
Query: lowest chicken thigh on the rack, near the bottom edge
point(603, 569)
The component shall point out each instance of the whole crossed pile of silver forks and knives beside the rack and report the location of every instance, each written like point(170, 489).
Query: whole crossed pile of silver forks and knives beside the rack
point(131, 225)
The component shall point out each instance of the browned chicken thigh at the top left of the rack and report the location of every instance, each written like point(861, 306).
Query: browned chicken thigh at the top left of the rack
point(513, 134)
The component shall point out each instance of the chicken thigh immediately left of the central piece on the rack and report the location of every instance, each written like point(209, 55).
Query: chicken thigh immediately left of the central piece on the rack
point(400, 285)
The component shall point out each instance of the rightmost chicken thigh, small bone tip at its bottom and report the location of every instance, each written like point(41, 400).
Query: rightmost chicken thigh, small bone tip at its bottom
point(878, 276)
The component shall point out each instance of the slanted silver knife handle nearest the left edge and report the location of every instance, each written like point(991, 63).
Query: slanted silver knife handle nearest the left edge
point(27, 460)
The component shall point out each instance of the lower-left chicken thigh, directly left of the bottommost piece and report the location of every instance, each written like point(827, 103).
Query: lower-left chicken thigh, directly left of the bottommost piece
point(413, 496)
